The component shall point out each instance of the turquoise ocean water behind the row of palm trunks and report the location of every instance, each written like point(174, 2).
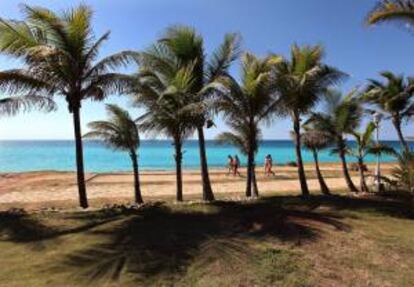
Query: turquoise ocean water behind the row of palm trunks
point(19, 156)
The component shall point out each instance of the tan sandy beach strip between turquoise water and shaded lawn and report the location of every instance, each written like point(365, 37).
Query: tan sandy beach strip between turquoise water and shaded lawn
point(52, 188)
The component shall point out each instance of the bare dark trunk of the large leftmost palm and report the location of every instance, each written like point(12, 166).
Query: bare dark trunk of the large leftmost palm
point(83, 200)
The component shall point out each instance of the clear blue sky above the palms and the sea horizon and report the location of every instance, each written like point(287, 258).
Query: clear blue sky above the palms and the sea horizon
point(266, 26)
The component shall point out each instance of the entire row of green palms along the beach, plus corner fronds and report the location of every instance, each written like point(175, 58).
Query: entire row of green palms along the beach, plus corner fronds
point(181, 90)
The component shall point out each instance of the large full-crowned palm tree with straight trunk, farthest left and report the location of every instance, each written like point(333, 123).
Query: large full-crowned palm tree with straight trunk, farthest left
point(59, 55)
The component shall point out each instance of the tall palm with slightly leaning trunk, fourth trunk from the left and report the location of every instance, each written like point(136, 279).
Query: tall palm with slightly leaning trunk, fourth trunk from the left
point(188, 47)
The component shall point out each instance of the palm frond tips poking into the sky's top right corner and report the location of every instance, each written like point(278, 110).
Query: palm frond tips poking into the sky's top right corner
point(392, 11)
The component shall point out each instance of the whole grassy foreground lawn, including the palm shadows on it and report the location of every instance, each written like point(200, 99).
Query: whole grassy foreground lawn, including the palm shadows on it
point(276, 241)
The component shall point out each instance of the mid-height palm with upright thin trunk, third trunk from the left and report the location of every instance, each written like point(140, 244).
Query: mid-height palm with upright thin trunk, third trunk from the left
point(164, 96)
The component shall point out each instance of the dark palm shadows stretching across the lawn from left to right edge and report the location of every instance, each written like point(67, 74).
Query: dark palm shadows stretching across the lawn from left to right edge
point(163, 241)
